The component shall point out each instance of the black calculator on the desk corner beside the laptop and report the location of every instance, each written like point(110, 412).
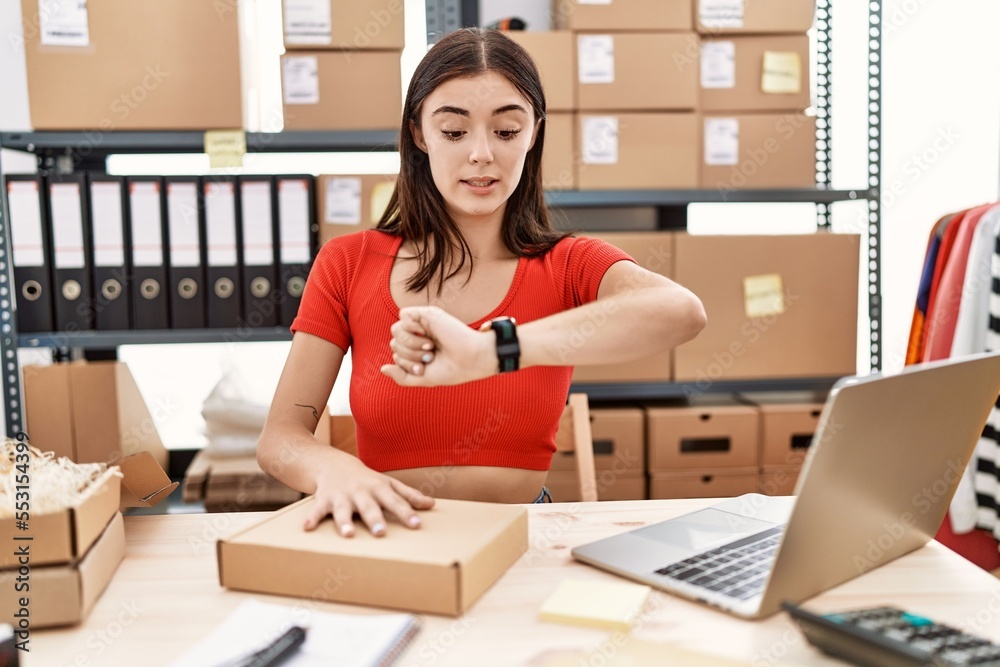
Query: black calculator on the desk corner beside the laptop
point(890, 637)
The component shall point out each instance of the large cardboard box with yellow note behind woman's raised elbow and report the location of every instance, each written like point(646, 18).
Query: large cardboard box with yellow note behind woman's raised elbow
point(778, 306)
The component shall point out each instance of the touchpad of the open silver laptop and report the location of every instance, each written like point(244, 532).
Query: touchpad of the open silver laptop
point(702, 530)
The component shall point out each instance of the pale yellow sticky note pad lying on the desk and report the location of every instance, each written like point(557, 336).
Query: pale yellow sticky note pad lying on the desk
point(601, 604)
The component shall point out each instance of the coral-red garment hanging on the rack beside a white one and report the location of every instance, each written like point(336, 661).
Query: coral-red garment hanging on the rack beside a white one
point(942, 315)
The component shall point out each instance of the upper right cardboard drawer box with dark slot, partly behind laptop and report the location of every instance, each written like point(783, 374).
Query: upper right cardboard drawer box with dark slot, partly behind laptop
point(786, 432)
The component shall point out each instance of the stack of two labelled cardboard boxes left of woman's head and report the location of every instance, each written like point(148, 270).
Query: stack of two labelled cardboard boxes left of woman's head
point(341, 65)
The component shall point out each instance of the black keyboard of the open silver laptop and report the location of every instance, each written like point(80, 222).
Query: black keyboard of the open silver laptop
point(738, 569)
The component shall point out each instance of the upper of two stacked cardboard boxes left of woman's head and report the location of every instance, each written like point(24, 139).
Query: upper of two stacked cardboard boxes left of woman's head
point(344, 24)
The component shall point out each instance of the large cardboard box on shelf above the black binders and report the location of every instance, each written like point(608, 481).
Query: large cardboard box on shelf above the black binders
point(149, 65)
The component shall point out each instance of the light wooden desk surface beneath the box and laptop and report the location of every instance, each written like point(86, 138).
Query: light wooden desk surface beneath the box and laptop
point(166, 595)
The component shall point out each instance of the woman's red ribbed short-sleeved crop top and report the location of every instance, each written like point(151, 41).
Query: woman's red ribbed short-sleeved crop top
point(507, 420)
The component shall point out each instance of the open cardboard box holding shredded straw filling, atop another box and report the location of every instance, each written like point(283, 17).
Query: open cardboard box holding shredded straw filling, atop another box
point(63, 537)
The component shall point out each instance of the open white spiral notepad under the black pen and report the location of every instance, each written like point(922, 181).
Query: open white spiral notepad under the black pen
point(344, 640)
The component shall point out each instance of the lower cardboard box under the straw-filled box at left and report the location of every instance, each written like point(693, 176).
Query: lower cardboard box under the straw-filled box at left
point(64, 594)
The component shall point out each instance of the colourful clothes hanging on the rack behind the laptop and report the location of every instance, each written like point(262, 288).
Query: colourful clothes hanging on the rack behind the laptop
point(957, 313)
